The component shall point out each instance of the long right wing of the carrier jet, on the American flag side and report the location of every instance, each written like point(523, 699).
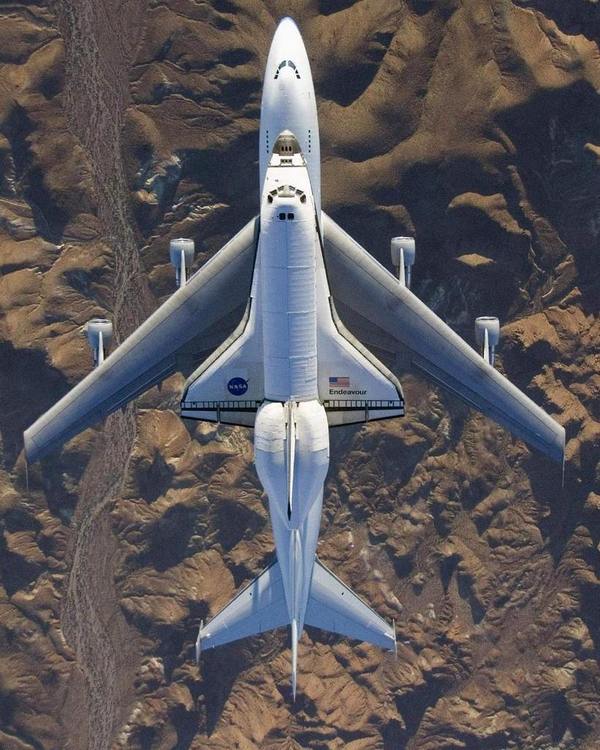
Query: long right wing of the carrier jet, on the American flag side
point(375, 296)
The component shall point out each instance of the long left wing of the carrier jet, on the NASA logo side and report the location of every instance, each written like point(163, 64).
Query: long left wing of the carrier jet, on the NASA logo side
point(174, 338)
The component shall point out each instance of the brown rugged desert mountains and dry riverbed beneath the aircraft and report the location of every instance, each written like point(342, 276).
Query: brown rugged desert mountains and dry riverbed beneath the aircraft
point(475, 125)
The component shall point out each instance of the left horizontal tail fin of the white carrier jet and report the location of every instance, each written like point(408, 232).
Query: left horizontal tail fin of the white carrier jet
point(259, 607)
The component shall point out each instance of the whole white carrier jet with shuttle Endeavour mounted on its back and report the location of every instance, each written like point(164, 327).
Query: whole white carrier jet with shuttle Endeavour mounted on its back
point(287, 365)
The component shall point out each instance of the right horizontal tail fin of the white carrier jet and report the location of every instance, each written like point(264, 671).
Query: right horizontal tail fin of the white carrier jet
point(335, 607)
